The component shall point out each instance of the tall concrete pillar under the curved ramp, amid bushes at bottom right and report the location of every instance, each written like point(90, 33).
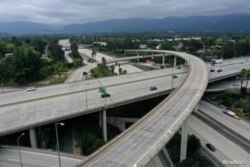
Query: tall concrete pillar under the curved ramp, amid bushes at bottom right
point(184, 137)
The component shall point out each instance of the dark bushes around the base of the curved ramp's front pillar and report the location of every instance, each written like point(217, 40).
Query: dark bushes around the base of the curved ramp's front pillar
point(194, 157)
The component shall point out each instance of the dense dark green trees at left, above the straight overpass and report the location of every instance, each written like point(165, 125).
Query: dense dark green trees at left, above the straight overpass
point(21, 60)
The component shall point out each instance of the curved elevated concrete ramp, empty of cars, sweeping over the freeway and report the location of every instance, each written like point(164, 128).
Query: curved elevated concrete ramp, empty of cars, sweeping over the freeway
point(137, 145)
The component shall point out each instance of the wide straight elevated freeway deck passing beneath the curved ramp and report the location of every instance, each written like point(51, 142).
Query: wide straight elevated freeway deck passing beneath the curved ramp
point(22, 110)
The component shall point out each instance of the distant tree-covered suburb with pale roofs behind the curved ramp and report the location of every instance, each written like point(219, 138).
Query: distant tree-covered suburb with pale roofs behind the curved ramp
point(205, 46)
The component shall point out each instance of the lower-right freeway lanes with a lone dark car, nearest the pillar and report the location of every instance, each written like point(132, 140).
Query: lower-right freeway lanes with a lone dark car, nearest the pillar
point(226, 150)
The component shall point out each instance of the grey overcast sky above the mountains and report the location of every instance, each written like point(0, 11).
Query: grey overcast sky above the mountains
point(82, 11)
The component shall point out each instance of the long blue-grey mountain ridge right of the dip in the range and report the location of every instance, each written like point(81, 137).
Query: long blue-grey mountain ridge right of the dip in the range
point(227, 23)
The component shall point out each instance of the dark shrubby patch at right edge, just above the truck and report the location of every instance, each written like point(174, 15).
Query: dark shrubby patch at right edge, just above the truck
point(237, 103)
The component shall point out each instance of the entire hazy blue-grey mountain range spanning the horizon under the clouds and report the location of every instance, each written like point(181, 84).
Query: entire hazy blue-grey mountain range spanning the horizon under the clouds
point(227, 23)
